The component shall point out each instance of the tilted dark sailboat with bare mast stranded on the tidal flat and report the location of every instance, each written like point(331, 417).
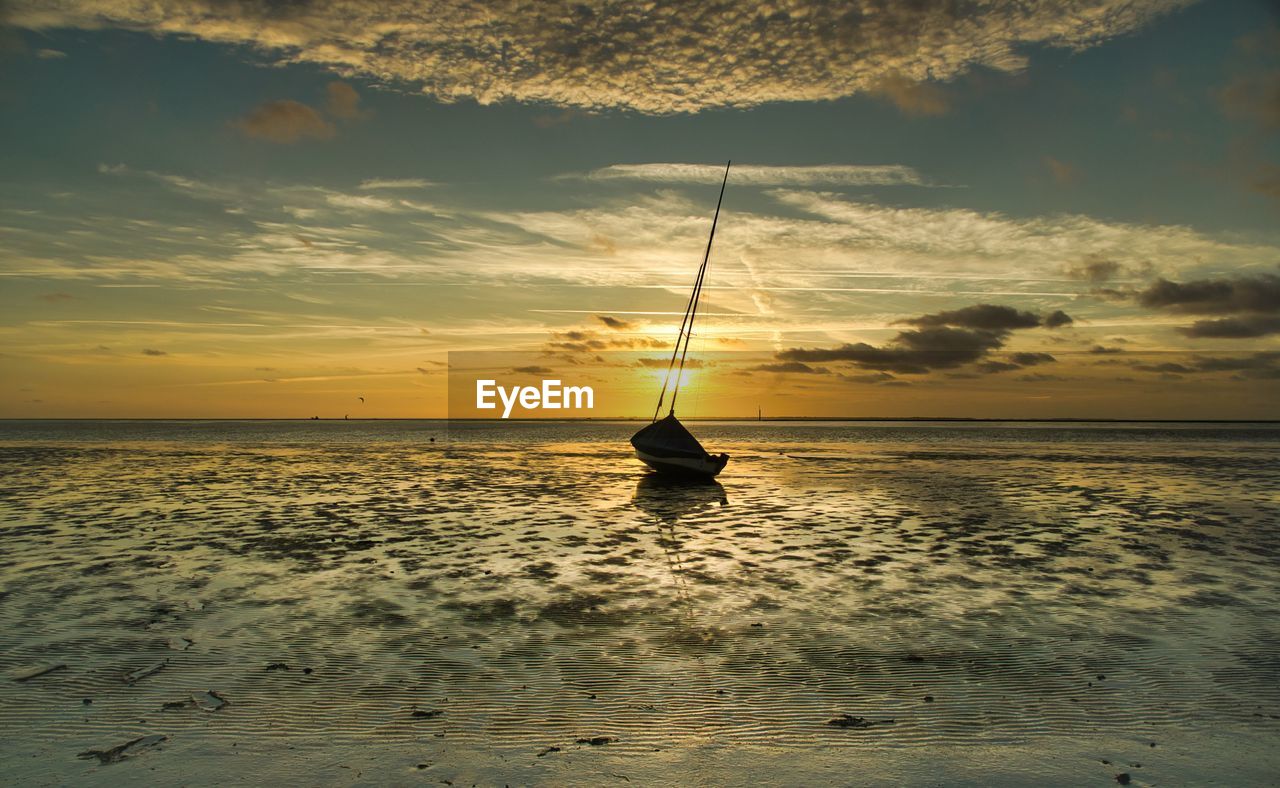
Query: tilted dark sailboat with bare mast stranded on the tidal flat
point(666, 446)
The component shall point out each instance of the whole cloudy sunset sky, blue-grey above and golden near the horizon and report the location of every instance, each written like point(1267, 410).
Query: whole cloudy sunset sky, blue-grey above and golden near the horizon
point(260, 210)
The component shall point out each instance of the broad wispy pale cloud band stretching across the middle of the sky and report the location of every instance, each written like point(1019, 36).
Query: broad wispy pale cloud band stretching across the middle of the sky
point(770, 259)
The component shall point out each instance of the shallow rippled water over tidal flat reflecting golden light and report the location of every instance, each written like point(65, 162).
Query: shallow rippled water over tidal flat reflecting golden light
point(1004, 603)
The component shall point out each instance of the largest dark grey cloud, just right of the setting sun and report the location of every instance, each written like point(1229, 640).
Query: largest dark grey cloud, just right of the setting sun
point(945, 341)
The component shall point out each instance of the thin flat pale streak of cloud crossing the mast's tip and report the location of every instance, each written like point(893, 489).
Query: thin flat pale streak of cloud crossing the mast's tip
point(760, 175)
